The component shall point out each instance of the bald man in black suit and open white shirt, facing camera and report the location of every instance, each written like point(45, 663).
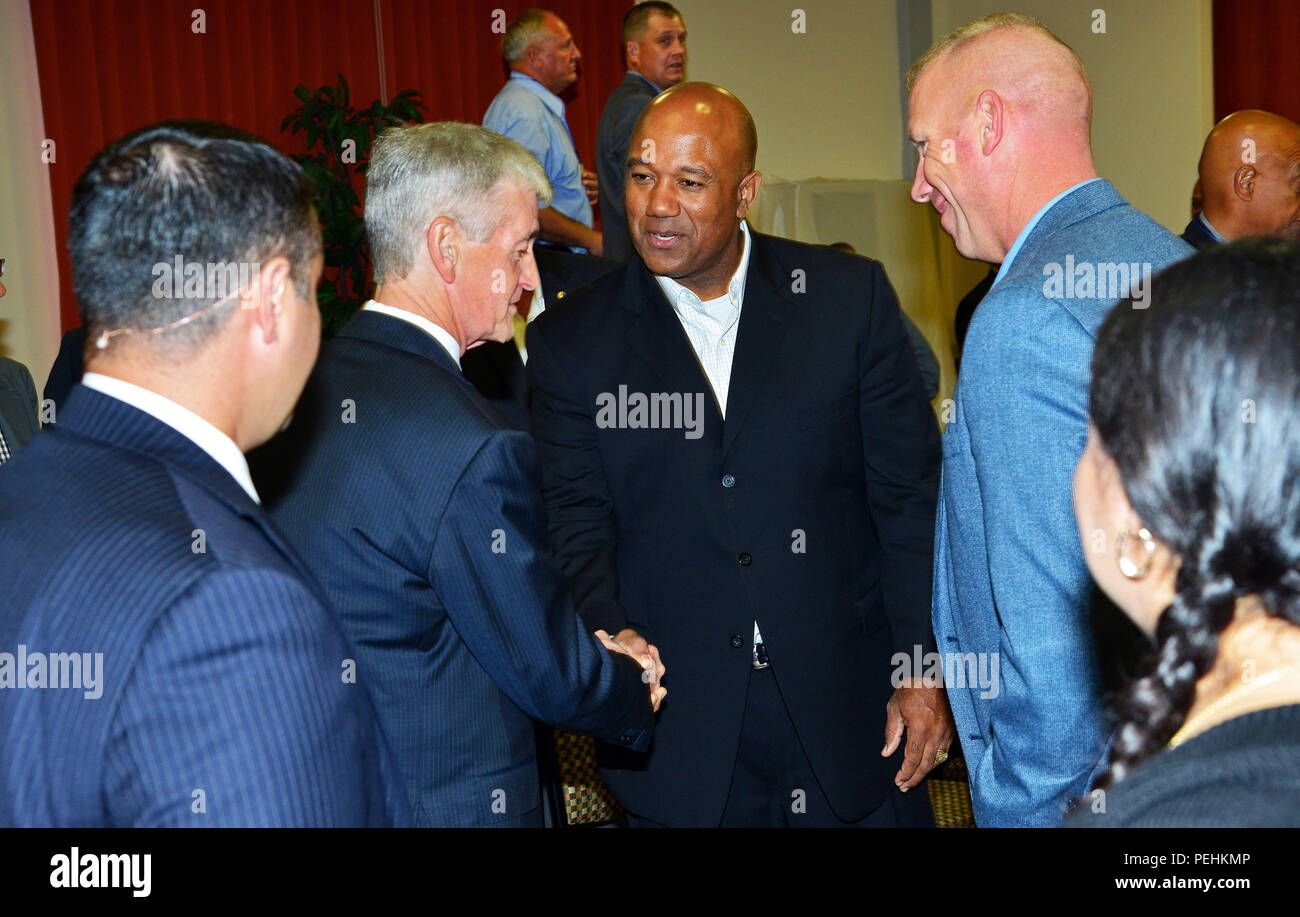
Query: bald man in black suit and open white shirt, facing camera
point(769, 525)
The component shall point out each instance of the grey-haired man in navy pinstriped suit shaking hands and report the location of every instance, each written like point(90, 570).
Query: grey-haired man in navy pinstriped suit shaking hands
point(418, 508)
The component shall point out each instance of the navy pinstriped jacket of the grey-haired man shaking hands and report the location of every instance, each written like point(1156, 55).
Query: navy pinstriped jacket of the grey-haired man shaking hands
point(422, 518)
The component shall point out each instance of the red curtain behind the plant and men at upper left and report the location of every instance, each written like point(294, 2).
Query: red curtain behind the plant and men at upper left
point(109, 67)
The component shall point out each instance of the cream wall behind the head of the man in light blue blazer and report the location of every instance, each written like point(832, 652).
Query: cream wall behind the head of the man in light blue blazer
point(827, 102)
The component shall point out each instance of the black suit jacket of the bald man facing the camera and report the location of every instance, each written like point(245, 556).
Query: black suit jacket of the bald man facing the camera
point(811, 511)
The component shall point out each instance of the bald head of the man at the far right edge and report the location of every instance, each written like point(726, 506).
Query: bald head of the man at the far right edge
point(1250, 176)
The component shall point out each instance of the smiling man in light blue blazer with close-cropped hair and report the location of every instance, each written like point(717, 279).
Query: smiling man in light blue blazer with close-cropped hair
point(1000, 114)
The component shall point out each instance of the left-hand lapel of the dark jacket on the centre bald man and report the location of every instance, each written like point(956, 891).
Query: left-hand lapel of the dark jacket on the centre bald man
point(658, 340)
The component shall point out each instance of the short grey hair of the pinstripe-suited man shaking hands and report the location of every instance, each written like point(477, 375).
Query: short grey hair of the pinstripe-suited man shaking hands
point(422, 172)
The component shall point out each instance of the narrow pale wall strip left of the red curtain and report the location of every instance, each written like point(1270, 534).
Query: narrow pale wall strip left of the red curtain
point(29, 314)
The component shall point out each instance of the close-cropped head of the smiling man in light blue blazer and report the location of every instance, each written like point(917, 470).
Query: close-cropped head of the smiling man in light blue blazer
point(1002, 114)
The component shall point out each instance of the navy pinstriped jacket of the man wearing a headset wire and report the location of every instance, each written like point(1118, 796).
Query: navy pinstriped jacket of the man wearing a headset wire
point(218, 697)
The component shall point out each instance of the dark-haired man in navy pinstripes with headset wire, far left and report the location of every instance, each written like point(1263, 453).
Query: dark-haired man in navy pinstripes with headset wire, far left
point(164, 658)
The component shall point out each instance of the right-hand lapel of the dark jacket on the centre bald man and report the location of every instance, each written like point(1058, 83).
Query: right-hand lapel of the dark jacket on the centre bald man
point(765, 319)
